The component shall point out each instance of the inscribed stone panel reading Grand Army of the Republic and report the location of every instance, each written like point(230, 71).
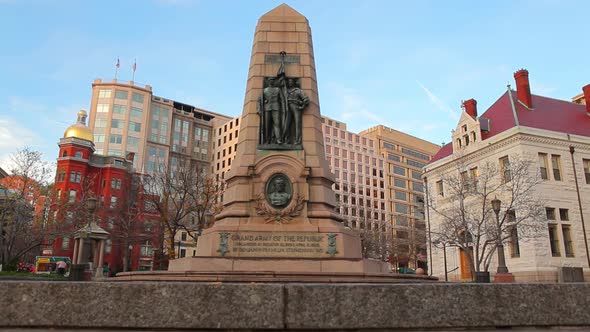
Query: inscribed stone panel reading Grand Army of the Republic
point(278, 244)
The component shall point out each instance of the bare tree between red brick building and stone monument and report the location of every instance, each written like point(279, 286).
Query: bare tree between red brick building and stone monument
point(184, 196)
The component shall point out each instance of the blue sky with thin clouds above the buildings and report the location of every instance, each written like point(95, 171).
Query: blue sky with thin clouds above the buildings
point(404, 64)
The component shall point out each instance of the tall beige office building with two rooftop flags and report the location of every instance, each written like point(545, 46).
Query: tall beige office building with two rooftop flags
point(127, 117)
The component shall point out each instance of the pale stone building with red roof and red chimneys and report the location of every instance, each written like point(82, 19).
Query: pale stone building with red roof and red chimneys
point(555, 136)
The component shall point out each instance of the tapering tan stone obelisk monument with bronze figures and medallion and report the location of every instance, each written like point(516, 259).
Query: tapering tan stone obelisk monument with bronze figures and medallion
point(279, 206)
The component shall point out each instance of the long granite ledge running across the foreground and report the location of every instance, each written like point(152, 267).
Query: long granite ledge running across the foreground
point(243, 306)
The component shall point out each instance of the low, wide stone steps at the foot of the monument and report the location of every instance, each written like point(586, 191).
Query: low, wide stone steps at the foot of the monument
point(251, 269)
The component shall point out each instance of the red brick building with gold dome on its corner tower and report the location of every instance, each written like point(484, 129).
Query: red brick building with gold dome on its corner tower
point(81, 174)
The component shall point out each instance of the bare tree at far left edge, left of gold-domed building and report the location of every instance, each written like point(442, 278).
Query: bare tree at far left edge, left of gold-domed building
point(21, 192)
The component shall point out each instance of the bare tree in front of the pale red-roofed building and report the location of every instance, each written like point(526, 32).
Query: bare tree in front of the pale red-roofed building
point(461, 204)
